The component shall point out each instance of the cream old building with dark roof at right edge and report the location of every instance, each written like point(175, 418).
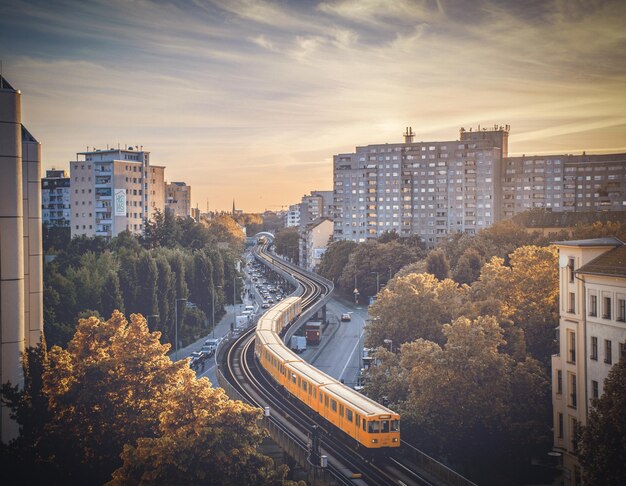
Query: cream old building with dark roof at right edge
point(592, 336)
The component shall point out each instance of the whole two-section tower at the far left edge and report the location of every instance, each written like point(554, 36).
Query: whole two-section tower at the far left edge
point(21, 285)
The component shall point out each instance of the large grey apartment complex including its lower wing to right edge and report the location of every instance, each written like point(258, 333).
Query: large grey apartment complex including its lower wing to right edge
point(433, 189)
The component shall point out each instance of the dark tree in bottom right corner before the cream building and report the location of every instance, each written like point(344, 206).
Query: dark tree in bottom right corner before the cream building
point(602, 448)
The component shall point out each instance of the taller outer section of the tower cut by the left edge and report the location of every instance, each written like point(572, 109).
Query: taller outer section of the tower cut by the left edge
point(11, 249)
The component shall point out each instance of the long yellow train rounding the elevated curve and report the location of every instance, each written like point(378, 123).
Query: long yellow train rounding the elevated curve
point(367, 422)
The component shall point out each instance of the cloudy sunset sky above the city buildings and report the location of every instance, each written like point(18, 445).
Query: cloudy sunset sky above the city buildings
point(250, 99)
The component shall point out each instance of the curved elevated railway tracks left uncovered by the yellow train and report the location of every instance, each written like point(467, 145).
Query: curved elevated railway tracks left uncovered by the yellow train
point(349, 466)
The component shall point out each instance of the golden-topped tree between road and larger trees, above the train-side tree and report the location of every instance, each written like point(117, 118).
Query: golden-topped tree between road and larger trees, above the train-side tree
point(414, 307)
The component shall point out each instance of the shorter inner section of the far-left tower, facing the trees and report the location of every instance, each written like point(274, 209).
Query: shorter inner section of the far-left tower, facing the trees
point(33, 258)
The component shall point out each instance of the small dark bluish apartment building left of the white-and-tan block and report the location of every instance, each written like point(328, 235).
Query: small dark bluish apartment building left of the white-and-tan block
point(56, 199)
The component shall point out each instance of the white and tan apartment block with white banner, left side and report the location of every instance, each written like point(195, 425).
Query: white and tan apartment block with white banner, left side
point(111, 191)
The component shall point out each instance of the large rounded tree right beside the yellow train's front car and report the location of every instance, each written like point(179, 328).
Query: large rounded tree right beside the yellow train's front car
point(468, 400)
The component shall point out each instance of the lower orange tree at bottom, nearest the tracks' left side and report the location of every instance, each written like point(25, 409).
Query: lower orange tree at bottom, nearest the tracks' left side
point(203, 436)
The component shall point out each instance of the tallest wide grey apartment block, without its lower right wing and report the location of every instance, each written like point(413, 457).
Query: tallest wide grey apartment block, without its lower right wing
point(426, 188)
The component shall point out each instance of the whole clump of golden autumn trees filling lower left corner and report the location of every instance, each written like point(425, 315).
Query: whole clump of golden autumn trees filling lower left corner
point(114, 389)
